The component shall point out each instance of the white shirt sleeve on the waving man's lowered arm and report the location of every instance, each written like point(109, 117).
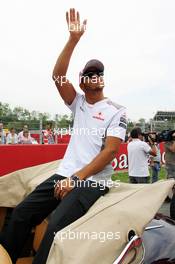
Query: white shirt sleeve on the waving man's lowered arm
point(118, 125)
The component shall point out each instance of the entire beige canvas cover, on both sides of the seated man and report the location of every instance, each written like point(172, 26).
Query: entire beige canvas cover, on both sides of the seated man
point(124, 208)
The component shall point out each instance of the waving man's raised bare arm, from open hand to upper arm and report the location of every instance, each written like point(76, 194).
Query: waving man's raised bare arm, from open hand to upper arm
point(65, 88)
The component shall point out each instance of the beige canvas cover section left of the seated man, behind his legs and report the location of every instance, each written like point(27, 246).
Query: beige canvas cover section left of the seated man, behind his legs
point(16, 185)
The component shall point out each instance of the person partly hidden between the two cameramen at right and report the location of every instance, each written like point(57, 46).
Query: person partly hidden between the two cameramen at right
point(155, 163)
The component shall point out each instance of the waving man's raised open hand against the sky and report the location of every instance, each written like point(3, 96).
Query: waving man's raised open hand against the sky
point(73, 21)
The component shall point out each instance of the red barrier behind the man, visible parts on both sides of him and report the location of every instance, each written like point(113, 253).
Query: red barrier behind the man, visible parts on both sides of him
point(16, 157)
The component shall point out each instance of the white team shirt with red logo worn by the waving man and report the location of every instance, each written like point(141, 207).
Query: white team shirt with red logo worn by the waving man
point(92, 123)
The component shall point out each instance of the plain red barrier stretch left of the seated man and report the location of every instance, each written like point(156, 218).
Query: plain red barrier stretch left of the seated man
point(16, 157)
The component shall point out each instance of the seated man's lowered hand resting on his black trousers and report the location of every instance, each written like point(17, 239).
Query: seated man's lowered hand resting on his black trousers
point(62, 188)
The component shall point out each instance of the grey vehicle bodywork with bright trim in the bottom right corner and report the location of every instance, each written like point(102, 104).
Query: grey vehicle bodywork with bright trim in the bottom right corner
point(156, 245)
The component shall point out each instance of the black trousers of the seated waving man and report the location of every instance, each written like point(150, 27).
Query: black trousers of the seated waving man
point(38, 205)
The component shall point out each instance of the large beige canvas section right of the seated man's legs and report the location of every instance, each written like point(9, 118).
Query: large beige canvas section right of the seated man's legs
point(131, 206)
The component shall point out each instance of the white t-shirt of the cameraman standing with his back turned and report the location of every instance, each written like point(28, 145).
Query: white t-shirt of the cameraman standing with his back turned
point(138, 154)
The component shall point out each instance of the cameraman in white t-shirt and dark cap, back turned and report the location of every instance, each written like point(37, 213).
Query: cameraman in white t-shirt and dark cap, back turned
point(138, 154)
